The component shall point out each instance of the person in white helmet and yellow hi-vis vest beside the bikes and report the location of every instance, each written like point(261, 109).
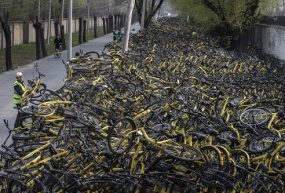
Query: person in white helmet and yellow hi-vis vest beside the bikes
point(19, 90)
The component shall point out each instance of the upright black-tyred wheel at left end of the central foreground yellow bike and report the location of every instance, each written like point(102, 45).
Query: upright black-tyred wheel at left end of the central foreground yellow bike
point(121, 136)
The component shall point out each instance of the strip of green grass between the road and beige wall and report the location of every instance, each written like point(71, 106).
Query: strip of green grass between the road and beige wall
point(26, 53)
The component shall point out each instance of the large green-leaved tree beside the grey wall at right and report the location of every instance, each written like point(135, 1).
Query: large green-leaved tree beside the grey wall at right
point(224, 17)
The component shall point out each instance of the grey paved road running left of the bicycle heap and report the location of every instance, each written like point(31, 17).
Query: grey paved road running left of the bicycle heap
point(51, 67)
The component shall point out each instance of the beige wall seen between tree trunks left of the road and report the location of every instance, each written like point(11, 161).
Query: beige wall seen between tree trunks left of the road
point(25, 32)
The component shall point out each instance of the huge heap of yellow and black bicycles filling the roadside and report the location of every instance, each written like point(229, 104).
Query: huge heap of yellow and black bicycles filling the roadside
point(174, 114)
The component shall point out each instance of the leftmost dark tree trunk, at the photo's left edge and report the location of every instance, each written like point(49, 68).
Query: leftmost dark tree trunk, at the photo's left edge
point(7, 32)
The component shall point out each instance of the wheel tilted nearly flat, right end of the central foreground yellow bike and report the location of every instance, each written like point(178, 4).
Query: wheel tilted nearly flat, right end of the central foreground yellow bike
point(182, 152)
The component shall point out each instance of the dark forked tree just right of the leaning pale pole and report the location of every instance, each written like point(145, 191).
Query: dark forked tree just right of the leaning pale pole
point(151, 9)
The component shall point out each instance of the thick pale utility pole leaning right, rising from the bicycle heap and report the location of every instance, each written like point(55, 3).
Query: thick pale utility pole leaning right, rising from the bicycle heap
point(128, 25)
